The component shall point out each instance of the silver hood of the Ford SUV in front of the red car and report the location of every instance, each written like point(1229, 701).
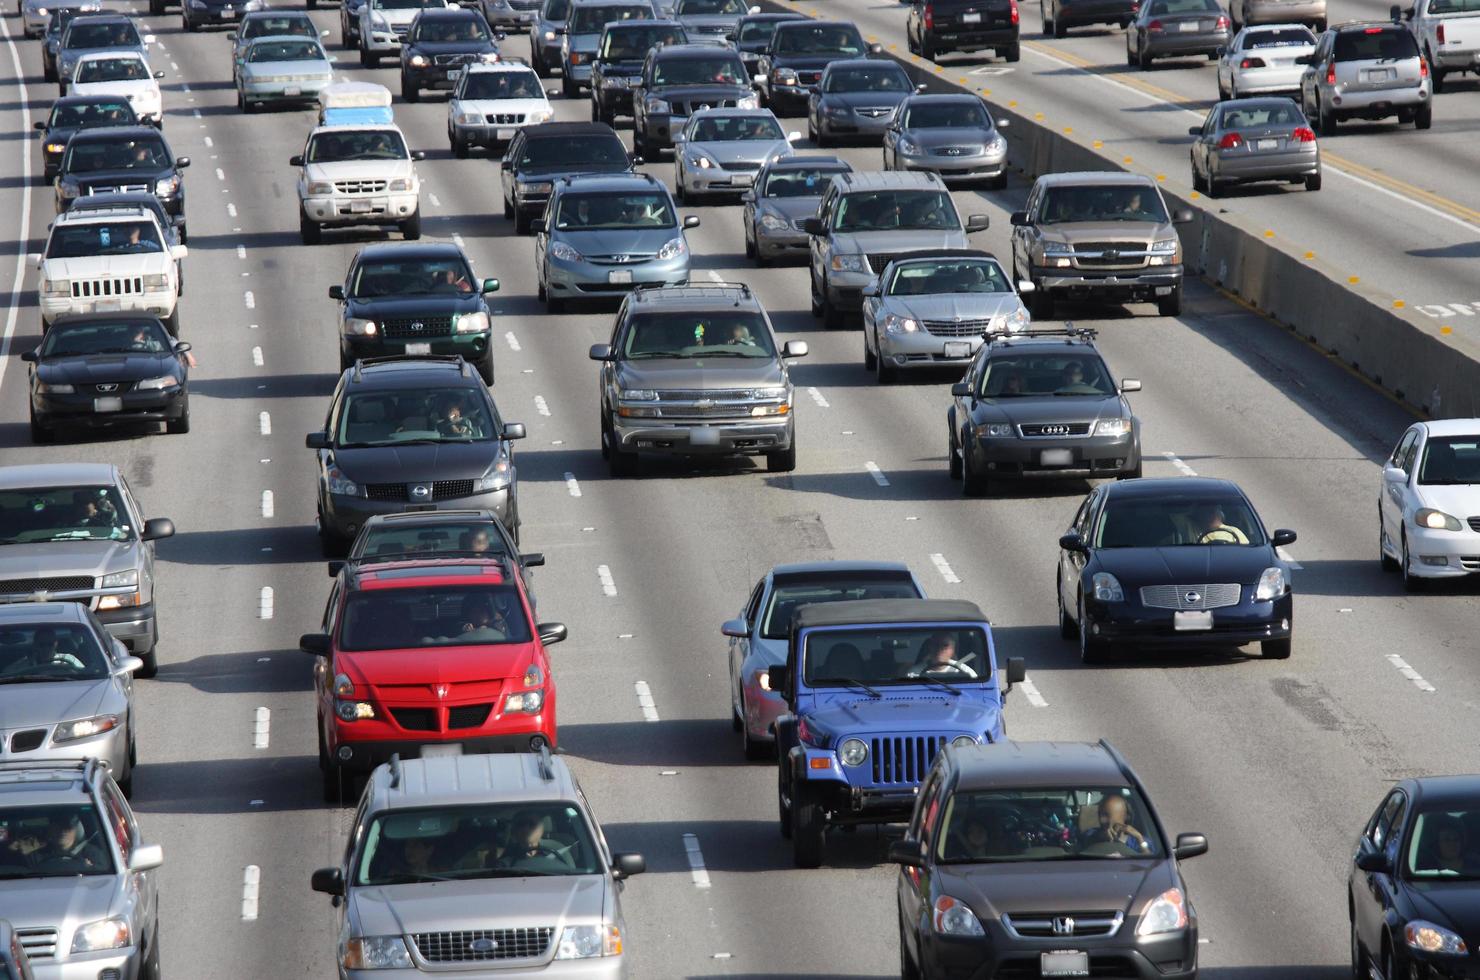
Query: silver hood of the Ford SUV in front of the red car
point(449, 907)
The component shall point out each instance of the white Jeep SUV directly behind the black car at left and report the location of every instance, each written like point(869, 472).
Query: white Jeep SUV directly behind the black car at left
point(110, 260)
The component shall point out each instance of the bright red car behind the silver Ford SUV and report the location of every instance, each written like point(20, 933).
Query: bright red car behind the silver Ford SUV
point(421, 658)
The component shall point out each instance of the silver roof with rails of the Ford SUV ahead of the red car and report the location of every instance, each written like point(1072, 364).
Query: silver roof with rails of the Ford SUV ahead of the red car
point(464, 779)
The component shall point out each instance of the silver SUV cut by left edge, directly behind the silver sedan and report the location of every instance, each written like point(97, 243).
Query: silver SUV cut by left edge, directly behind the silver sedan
point(75, 532)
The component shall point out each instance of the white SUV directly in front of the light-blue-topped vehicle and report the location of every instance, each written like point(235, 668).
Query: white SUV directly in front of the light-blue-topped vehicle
point(357, 175)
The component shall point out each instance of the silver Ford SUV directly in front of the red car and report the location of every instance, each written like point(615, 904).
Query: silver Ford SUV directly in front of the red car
point(483, 865)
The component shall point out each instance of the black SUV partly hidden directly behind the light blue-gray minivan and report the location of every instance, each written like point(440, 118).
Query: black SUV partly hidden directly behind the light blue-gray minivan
point(538, 156)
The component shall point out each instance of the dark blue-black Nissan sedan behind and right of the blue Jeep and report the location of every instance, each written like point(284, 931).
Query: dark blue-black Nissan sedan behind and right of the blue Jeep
point(1173, 563)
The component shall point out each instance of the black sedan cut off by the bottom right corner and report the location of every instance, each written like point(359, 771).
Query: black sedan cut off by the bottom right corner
point(1414, 892)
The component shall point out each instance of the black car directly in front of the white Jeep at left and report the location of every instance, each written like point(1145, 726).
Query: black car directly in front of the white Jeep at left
point(104, 371)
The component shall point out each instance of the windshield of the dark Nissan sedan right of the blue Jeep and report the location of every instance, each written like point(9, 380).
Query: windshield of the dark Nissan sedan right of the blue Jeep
point(1177, 520)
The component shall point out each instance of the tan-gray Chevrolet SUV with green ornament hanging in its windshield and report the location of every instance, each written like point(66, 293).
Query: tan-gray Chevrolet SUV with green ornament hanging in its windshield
point(696, 372)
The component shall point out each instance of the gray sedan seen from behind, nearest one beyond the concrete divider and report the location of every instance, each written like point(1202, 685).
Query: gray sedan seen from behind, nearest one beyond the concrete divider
point(1254, 140)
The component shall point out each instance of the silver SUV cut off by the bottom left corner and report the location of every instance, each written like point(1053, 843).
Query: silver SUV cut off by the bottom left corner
point(76, 879)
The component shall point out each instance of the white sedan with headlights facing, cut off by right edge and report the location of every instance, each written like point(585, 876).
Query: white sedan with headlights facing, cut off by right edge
point(1429, 504)
